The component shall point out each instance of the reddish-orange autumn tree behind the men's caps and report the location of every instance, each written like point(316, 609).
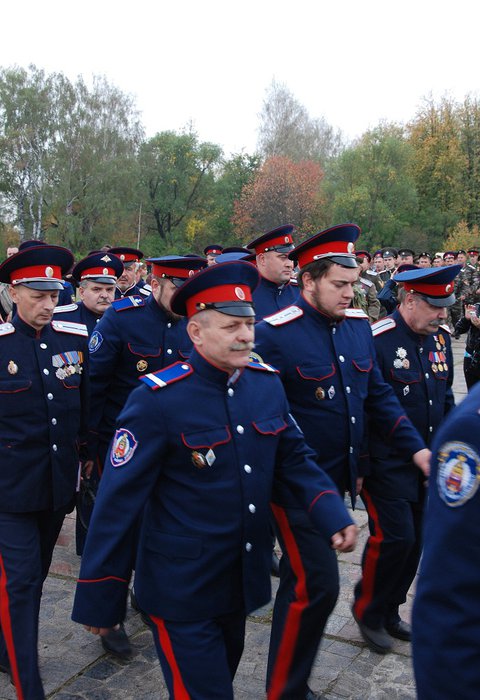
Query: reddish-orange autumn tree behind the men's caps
point(281, 192)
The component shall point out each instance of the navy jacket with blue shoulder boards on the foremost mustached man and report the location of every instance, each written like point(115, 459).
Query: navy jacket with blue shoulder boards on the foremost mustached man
point(201, 454)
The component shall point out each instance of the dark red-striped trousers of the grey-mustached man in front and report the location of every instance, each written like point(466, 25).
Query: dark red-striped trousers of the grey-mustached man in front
point(199, 659)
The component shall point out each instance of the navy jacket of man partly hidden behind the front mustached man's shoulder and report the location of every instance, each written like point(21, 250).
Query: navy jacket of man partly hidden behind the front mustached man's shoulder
point(135, 336)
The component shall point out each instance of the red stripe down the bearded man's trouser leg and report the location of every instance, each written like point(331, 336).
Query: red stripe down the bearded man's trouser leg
point(287, 644)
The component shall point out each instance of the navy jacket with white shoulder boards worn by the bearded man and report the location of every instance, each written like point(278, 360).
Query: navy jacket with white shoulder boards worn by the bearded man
point(331, 378)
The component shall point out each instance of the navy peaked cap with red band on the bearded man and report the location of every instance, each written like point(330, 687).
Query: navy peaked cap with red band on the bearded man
point(336, 243)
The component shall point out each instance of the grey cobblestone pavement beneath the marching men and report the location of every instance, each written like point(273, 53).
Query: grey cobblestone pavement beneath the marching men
point(74, 666)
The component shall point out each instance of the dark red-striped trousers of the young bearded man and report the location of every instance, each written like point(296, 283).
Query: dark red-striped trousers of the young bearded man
point(306, 596)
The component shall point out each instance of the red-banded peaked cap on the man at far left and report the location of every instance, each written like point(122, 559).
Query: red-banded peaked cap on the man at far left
point(38, 267)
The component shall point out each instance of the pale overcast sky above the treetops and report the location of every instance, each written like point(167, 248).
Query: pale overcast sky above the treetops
point(210, 62)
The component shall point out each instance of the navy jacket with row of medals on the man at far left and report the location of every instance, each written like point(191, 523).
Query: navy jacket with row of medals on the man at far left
point(43, 410)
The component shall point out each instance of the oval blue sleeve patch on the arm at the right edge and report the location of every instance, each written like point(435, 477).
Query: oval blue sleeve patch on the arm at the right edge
point(458, 473)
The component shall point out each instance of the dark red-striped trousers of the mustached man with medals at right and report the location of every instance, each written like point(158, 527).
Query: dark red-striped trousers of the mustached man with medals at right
point(390, 558)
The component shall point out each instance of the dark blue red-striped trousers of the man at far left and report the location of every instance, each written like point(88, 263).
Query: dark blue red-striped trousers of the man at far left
point(27, 541)
